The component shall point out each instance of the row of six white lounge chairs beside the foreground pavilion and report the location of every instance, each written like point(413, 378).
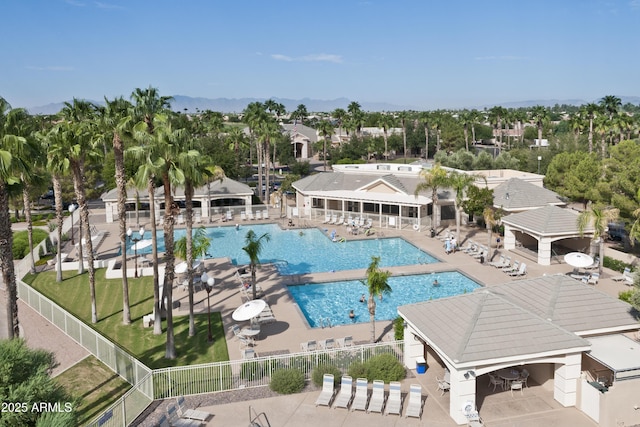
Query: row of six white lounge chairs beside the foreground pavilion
point(378, 401)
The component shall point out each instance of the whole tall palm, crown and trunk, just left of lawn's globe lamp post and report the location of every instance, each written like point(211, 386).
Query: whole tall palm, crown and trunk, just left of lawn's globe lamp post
point(116, 120)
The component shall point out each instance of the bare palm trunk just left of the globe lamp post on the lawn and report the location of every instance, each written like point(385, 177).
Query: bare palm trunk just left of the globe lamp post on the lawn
point(118, 150)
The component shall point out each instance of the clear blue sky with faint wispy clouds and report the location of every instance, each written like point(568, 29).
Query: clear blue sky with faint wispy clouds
point(423, 54)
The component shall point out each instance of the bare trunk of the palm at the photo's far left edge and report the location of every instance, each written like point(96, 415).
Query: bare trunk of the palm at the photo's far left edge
point(6, 264)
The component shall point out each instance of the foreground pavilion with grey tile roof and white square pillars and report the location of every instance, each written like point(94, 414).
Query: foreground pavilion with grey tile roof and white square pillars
point(543, 324)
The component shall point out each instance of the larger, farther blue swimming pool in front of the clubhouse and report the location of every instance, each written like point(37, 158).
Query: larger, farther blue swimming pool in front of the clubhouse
point(301, 251)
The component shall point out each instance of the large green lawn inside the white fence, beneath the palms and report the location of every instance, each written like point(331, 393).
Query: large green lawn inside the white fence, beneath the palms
point(73, 295)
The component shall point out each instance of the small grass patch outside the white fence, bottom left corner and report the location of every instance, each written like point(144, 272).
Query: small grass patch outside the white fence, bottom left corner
point(95, 384)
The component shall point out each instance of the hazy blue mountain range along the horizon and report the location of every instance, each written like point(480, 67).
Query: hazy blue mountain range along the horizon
point(235, 105)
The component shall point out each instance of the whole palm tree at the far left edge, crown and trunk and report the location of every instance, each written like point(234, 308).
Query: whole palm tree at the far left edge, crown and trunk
point(11, 164)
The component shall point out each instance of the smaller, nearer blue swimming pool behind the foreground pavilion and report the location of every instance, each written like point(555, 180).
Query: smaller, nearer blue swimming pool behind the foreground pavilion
point(324, 303)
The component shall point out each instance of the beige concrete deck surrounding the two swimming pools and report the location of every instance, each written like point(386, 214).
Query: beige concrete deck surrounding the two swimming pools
point(535, 407)
